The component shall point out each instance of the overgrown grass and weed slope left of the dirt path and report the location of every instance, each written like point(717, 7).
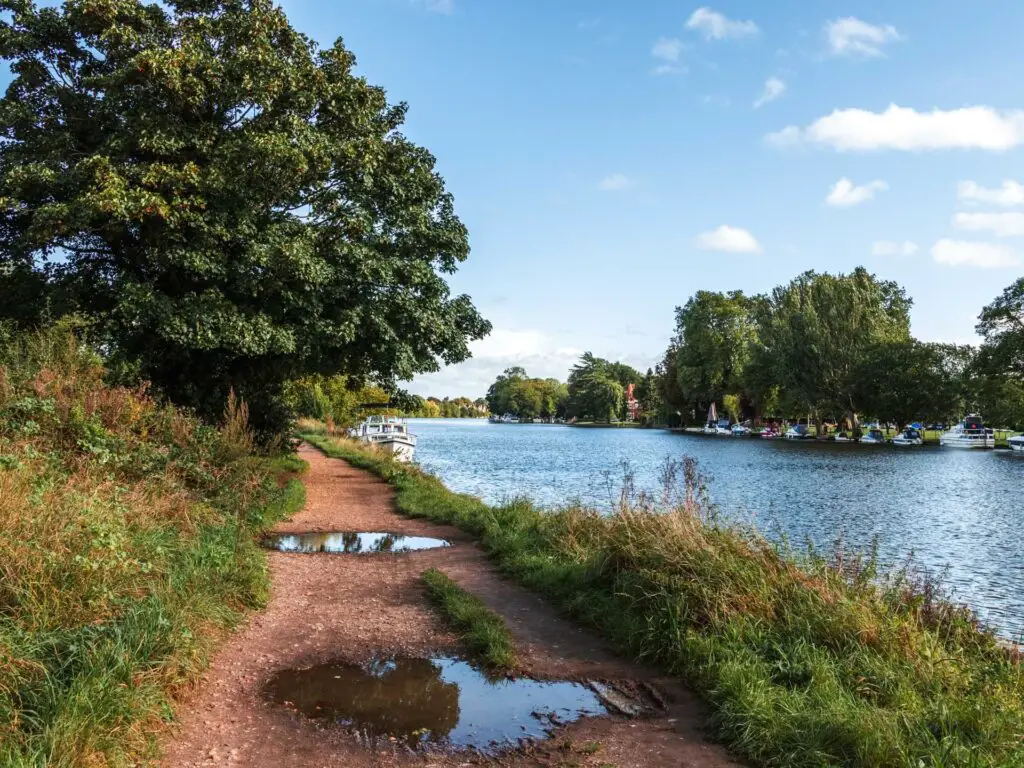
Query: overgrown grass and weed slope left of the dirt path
point(127, 541)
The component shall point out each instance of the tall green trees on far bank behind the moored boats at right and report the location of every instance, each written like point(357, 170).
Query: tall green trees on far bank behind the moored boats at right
point(838, 347)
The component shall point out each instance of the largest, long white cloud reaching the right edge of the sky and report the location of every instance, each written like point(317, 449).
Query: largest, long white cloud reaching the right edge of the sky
point(908, 130)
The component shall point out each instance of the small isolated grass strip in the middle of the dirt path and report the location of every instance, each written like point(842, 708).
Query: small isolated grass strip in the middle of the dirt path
point(482, 630)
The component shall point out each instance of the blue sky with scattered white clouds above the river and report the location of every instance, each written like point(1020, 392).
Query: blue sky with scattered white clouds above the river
point(610, 159)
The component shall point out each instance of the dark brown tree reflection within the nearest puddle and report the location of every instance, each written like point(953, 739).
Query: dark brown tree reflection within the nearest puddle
point(406, 698)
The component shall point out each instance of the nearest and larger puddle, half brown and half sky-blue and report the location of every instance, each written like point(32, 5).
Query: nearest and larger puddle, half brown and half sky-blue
point(426, 702)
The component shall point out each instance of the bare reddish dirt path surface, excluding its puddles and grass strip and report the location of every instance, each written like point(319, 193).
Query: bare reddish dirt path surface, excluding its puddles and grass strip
point(336, 608)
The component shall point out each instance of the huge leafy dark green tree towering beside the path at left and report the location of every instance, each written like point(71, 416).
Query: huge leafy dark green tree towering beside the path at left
point(229, 203)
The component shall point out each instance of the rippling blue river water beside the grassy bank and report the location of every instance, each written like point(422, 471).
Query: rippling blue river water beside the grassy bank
point(960, 514)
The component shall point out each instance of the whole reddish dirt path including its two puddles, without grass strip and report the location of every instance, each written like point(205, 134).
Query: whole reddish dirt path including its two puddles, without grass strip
point(358, 631)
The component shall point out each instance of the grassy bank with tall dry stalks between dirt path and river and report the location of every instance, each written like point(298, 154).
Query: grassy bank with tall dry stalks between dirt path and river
point(805, 662)
